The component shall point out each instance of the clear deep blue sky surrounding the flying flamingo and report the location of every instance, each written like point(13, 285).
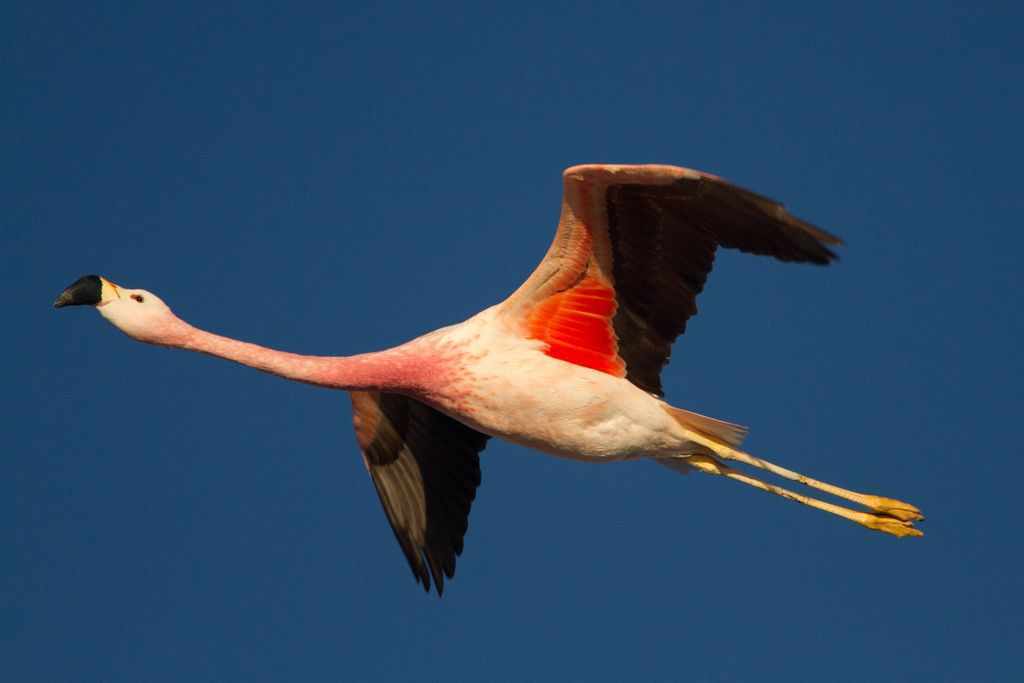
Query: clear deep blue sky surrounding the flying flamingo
point(344, 178)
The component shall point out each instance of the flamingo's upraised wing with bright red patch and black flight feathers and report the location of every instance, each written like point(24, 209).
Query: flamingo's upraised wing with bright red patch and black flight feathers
point(632, 252)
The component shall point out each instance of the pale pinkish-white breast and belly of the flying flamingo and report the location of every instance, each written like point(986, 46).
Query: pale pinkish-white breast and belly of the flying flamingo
point(505, 386)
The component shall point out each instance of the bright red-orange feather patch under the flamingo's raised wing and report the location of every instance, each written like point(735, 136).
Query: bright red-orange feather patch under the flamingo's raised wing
point(577, 326)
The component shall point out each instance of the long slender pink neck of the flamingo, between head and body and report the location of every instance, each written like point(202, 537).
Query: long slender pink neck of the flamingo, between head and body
point(395, 370)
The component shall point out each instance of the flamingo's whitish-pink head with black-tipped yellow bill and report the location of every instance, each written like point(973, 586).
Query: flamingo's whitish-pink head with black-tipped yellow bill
point(139, 314)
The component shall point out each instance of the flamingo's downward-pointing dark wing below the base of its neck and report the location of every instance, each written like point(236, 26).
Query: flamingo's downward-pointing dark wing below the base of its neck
point(426, 468)
